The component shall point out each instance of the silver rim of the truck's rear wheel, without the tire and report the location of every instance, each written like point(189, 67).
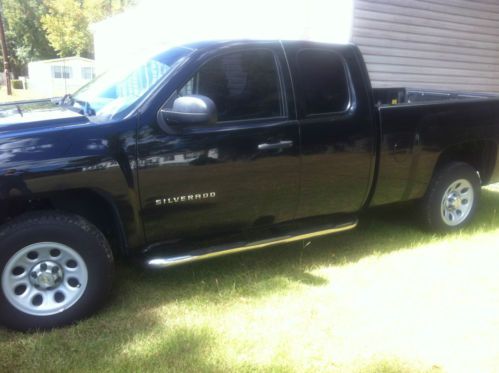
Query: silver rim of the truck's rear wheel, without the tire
point(457, 202)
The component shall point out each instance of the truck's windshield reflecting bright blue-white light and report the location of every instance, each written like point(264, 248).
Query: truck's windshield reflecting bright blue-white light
point(117, 90)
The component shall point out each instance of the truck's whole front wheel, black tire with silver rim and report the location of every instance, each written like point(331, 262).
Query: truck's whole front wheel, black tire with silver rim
point(40, 230)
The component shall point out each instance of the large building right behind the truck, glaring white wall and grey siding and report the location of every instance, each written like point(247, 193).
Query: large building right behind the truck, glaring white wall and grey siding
point(447, 44)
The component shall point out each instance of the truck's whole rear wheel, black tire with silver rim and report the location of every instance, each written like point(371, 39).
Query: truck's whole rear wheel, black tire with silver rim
point(435, 215)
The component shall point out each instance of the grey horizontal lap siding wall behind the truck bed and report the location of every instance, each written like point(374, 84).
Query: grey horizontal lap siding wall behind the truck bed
point(434, 44)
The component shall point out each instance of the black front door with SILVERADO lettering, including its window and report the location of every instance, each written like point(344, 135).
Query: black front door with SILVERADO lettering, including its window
point(241, 172)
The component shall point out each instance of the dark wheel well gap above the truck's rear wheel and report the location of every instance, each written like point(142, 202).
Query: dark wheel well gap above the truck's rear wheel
point(479, 154)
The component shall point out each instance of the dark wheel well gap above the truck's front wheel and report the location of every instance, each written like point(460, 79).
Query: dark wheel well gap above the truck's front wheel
point(88, 204)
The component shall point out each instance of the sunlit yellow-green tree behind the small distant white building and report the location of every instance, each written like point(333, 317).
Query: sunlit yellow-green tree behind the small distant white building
point(67, 22)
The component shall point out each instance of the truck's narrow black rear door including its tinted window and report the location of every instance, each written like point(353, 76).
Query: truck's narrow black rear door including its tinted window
point(337, 130)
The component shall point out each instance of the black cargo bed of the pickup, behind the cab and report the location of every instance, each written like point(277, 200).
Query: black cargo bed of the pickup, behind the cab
point(417, 125)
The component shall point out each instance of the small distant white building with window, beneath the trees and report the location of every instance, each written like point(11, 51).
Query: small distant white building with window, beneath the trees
point(59, 76)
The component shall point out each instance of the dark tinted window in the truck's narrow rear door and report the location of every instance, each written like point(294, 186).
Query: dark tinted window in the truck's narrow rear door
point(324, 81)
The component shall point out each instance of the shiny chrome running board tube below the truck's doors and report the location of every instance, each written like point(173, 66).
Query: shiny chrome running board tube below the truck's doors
point(194, 256)
